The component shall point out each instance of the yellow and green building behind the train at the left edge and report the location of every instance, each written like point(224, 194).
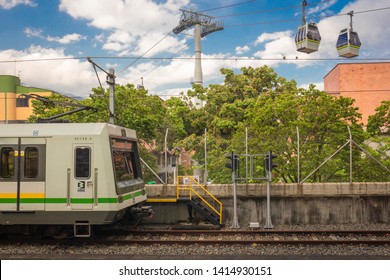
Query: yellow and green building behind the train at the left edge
point(14, 107)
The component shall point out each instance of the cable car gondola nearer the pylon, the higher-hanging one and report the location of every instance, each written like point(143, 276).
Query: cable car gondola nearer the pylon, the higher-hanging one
point(307, 38)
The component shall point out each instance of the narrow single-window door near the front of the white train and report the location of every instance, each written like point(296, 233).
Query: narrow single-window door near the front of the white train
point(82, 186)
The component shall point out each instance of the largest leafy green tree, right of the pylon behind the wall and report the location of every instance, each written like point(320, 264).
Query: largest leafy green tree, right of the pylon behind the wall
point(271, 108)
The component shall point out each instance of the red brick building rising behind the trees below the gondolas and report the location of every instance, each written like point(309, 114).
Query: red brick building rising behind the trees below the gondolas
point(367, 83)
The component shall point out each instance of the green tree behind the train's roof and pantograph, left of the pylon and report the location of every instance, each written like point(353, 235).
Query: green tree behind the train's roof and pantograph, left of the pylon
point(134, 108)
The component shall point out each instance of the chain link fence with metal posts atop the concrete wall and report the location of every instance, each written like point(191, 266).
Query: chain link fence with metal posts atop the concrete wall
point(163, 165)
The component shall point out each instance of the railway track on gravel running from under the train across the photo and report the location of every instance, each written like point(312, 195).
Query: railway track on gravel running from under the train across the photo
point(220, 237)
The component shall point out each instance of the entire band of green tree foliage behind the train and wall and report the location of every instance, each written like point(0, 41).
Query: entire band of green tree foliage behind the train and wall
point(269, 107)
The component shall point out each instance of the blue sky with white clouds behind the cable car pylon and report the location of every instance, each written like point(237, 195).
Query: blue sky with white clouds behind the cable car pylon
point(46, 42)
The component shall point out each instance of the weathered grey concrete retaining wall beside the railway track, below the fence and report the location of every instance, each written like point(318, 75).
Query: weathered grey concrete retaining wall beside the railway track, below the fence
point(291, 204)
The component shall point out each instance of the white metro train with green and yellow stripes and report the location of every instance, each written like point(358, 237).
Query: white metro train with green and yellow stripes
point(68, 174)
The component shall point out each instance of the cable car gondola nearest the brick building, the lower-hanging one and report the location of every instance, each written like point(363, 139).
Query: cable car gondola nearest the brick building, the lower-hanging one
point(348, 44)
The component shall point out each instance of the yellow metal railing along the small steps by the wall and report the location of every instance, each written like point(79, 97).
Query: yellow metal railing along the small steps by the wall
point(188, 183)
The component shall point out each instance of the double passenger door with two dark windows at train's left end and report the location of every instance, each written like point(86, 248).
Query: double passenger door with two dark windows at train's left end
point(22, 174)
